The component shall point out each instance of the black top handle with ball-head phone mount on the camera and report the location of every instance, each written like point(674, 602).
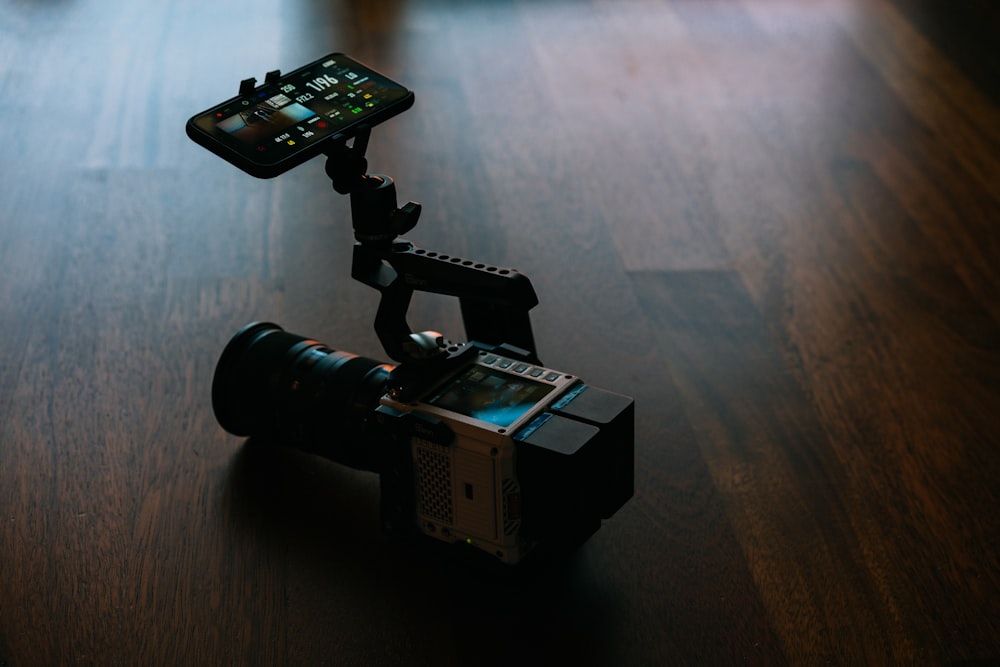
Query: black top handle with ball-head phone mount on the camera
point(494, 301)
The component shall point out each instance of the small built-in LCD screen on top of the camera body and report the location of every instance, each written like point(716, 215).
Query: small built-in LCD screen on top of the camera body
point(490, 395)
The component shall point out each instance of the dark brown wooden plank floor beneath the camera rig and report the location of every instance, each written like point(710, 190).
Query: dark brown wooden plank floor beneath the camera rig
point(776, 224)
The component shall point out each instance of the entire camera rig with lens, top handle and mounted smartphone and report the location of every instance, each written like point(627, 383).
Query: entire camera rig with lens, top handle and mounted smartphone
point(475, 443)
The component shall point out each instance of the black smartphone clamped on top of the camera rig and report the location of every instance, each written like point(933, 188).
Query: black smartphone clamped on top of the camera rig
point(282, 123)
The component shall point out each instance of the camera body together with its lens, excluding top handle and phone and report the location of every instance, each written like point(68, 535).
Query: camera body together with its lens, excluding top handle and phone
point(500, 453)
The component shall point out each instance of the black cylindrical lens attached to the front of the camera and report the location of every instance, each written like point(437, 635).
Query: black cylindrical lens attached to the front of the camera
point(275, 385)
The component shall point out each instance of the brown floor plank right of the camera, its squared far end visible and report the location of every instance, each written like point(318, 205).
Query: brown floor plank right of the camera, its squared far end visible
point(775, 468)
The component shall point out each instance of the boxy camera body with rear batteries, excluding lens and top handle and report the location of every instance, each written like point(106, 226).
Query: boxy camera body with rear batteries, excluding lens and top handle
point(505, 455)
